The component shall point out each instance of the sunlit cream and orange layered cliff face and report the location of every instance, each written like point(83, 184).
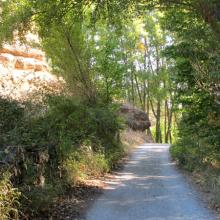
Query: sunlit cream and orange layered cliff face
point(24, 71)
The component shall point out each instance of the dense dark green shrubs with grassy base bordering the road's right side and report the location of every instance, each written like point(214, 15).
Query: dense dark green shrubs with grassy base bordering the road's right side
point(197, 148)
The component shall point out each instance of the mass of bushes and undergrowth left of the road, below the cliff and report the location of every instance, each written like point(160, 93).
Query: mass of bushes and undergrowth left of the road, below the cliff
point(50, 152)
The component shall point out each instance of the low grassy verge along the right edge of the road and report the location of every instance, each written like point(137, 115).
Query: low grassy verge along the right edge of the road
point(206, 174)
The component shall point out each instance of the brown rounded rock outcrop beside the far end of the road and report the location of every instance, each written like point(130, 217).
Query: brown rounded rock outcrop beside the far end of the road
point(136, 119)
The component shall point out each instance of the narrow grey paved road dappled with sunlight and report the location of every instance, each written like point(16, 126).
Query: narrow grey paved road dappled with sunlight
point(149, 187)
